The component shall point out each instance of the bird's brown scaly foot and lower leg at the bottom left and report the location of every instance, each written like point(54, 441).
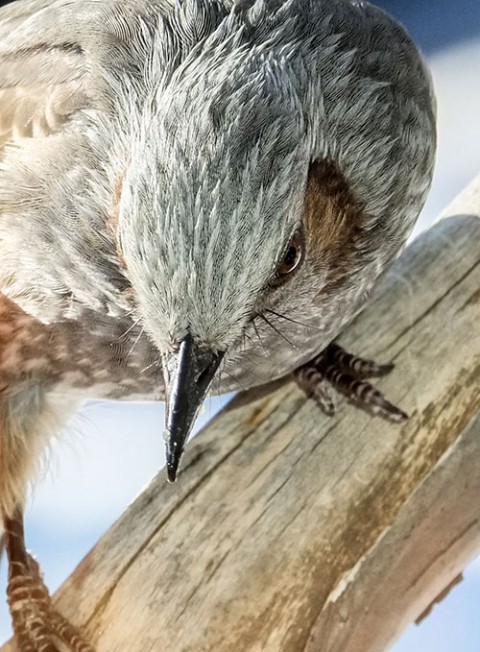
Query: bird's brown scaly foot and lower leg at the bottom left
point(37, 626)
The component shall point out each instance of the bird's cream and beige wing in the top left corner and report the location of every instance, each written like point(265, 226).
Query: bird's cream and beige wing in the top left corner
point(45, 76)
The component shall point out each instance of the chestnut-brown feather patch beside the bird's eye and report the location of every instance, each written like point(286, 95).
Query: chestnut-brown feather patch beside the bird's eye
point(333, 220)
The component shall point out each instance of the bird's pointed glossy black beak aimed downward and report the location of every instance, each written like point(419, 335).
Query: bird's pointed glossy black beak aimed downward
point(188, 375)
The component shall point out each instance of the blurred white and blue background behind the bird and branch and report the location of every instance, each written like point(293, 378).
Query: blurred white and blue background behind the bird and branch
point(86, 487)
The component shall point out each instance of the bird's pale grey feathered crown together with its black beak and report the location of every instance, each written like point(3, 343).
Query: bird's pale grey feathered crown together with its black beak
point(210, 221)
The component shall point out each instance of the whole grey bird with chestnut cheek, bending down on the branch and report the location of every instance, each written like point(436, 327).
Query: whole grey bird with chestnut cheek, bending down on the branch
point(196, 196)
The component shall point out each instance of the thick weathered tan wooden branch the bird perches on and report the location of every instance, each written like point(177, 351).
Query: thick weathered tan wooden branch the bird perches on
point(293, 532)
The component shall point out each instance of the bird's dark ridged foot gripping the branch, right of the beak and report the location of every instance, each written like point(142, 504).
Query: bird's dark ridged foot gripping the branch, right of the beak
point(346, 373)
